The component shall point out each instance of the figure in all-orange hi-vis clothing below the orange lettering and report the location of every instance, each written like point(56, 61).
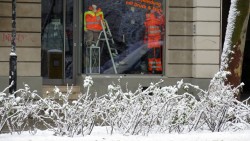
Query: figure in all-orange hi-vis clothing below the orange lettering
point(153, 37)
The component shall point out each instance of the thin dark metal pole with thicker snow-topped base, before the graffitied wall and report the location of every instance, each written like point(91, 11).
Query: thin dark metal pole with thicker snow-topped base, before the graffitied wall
point(13, 56)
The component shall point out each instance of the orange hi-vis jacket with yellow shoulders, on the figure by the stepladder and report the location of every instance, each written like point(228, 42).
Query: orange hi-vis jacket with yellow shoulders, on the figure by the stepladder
point(92, 20)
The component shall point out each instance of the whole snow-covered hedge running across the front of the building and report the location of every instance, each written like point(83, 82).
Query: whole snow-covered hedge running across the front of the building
point(156, 109)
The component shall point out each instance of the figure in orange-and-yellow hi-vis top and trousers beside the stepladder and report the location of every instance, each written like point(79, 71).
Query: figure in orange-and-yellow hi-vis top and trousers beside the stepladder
point(92, 23)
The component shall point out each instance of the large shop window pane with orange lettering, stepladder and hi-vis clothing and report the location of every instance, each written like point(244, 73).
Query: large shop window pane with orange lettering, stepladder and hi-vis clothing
point(123, 36)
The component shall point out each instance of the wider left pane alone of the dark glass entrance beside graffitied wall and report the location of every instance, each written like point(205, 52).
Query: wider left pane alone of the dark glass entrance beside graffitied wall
point(52, 39)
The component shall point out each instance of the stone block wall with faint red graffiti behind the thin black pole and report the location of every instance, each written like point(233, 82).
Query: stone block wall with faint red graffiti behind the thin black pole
point(28, 41)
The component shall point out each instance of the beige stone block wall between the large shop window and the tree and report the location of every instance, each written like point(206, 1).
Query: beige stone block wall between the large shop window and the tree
point(194, 38)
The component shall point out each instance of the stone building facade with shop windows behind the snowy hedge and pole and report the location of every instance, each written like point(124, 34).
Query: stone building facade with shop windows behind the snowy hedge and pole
point(53, 46)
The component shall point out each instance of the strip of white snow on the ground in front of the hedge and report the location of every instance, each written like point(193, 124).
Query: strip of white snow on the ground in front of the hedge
point(99, 134)
